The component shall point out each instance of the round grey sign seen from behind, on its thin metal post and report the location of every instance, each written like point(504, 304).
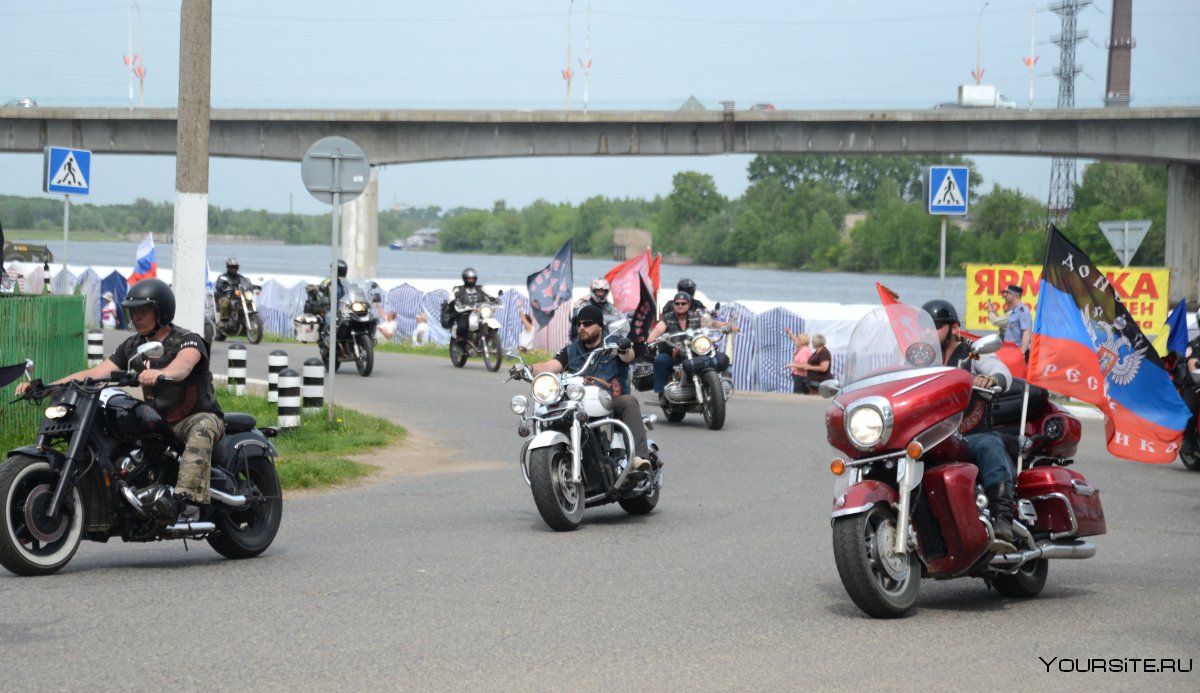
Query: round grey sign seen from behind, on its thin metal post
point(335, 171)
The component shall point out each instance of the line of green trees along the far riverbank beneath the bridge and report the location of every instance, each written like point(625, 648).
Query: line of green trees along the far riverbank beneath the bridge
point(861, 214)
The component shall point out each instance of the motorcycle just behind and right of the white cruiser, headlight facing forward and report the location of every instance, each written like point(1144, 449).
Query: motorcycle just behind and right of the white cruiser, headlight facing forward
point(700, 382)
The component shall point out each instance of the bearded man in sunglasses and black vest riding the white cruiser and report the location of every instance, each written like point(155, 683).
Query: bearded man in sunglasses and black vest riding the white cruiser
point(609, 371)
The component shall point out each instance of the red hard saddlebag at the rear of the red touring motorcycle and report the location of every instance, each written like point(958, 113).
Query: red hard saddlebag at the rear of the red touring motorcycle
point(1066, 504)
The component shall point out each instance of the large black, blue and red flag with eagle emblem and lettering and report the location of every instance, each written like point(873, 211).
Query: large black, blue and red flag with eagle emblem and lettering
point(1087, 346)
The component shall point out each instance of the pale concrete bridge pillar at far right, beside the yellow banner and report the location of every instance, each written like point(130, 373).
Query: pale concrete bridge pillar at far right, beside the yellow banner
point(1184, 232)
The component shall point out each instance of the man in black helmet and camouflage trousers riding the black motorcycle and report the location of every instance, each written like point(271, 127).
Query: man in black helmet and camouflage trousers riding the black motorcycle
point(187, 401)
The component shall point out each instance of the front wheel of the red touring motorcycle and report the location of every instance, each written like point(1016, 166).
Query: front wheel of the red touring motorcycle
point(883, 584)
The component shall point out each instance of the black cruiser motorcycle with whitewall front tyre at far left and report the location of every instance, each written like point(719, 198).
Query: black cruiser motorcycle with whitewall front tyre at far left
point(104, 466)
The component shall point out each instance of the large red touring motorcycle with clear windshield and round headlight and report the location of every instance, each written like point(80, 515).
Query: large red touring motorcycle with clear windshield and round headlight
point(908, 504)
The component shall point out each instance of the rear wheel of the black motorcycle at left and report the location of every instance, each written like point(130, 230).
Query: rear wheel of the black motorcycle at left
point(245, 533)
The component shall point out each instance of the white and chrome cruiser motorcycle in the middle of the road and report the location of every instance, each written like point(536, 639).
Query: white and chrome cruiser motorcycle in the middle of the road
point(580, 454)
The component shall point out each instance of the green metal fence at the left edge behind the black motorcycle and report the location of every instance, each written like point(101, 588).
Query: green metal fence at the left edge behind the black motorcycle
point(49, 330)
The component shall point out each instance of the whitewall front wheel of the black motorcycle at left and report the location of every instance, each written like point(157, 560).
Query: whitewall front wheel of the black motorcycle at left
point(32, 544)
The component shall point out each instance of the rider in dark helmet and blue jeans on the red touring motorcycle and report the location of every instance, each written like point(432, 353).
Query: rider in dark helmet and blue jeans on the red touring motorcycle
point(987, 449)
